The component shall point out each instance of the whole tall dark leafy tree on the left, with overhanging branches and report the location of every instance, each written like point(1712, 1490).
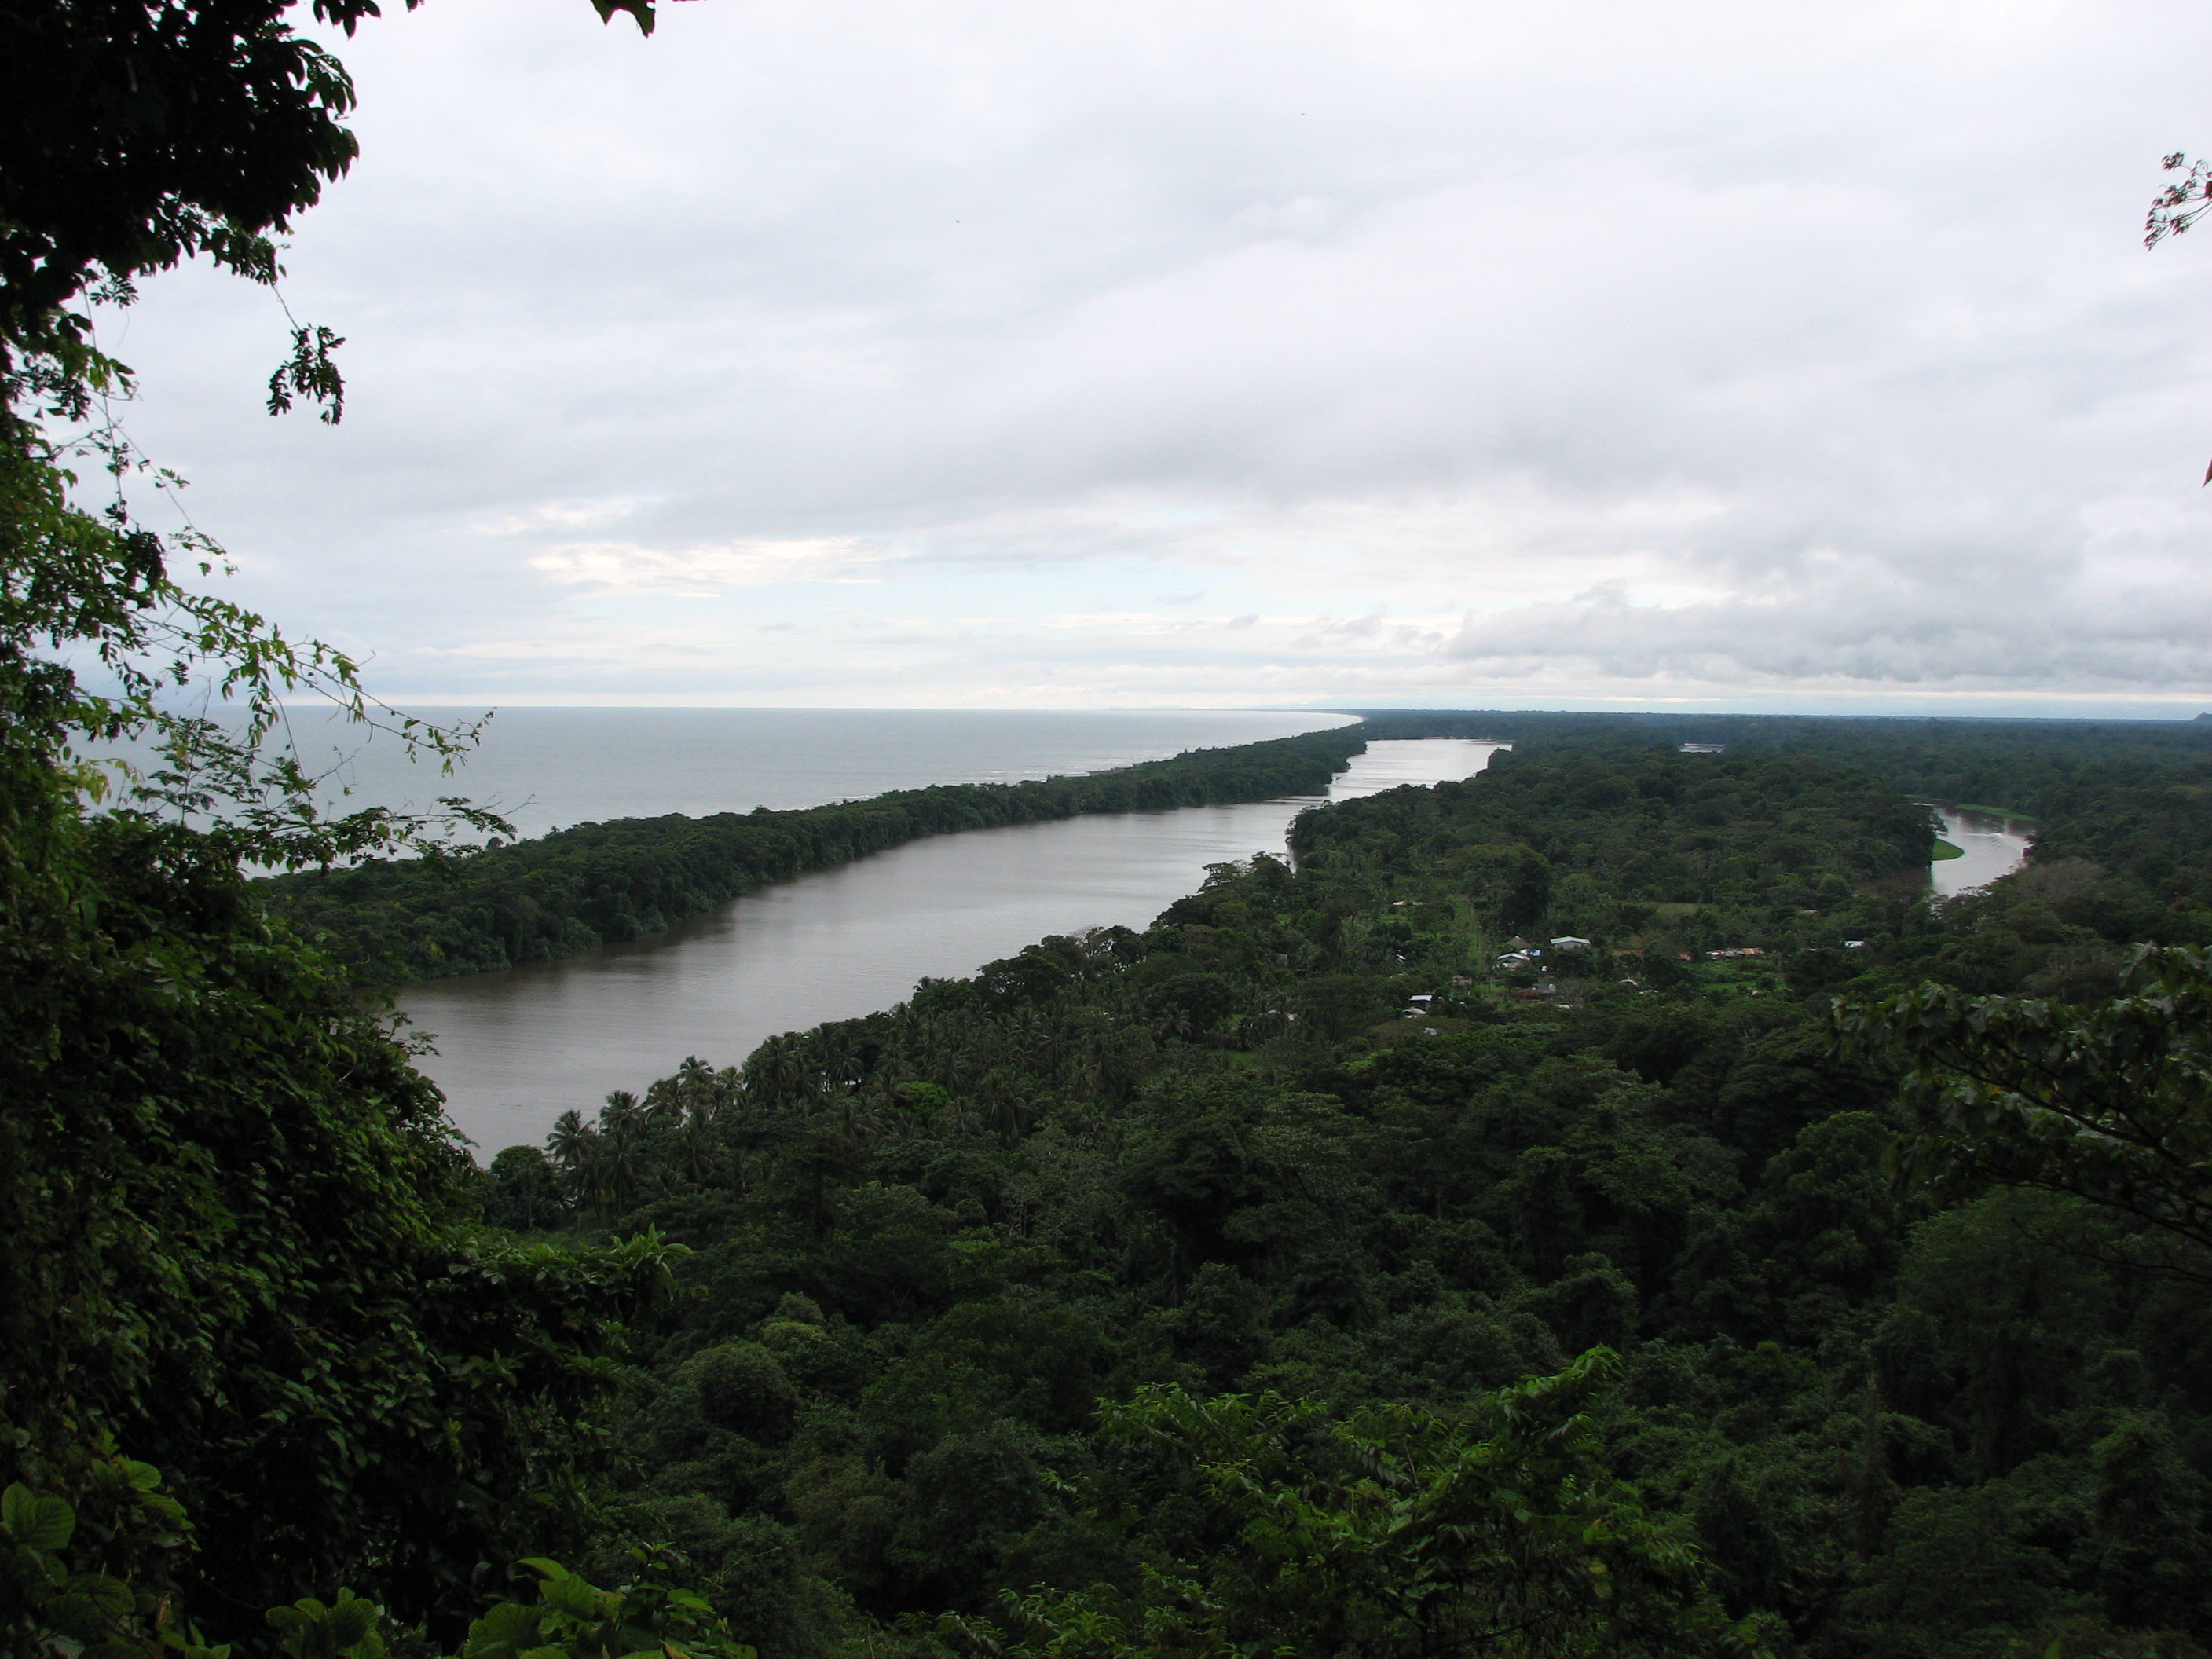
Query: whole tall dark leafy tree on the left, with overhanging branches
point(236, 1231)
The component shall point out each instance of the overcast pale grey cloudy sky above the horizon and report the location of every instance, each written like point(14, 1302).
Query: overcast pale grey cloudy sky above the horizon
point(1238, 355)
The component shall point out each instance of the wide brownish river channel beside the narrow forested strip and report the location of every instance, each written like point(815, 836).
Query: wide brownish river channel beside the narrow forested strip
point(521, 1047)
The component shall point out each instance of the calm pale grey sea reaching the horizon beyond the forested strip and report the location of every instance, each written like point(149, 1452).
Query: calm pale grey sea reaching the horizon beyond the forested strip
point(556, 766)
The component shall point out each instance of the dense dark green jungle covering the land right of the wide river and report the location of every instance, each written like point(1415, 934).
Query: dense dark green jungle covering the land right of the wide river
point(1229, 1156)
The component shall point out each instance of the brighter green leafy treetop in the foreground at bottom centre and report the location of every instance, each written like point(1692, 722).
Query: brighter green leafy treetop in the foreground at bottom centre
point(1399, 1534)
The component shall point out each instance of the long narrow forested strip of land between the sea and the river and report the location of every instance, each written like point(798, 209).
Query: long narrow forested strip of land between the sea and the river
point(614, 881)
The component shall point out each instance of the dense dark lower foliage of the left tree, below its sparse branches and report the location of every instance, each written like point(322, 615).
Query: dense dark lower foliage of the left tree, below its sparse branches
point(238, 1238)
